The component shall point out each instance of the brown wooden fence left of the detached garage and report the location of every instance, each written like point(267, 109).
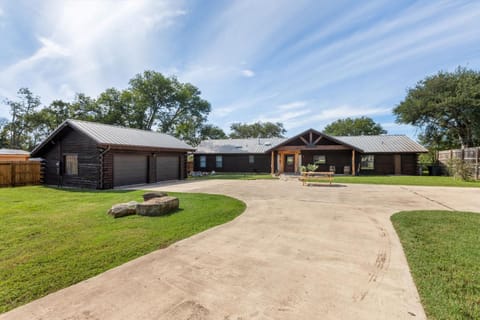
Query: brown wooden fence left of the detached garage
point(20, 173)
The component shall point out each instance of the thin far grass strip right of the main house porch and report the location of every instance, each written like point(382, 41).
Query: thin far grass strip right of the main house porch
point(439, 181)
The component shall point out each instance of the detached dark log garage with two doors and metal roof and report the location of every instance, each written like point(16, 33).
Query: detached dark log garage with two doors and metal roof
point(92, 155)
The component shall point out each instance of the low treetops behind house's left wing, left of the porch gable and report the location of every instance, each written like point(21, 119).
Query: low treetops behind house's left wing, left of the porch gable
point(257, 130)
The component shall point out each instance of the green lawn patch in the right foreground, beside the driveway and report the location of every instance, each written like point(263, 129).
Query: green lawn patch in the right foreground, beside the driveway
point(443, 251)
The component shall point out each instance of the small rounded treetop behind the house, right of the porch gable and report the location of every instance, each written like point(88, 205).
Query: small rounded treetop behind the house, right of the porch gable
point(354, 127)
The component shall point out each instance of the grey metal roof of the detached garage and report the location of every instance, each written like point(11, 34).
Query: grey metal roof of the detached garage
point(119, 136)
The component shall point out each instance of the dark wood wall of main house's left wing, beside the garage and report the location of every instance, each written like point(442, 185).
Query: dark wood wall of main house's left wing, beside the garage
point(234, 163)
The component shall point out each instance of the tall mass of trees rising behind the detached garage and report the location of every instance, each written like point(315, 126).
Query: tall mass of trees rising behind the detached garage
point(151, 102)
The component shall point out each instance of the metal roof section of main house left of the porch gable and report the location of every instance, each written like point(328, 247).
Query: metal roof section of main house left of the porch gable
point(253, 145)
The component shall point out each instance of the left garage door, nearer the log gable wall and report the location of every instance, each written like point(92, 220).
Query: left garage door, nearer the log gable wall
point(129, 169)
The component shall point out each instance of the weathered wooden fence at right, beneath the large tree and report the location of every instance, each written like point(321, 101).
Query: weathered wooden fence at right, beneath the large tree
point(469, 156)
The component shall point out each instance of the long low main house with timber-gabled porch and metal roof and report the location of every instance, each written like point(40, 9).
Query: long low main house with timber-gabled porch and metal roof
point(382, 154)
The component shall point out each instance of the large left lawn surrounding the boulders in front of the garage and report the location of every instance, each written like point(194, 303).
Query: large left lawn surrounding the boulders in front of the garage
point(51, 238)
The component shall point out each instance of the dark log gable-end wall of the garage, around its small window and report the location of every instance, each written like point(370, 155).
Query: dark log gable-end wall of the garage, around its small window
point(69, 141)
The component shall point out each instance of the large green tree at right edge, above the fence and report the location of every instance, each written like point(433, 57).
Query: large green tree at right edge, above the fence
point(446, 109)
